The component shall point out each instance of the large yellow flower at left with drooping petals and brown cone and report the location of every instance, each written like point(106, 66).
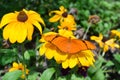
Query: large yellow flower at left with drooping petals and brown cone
point(19, 25)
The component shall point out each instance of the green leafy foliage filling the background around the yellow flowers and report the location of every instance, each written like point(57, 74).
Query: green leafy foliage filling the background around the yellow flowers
point(105, 67)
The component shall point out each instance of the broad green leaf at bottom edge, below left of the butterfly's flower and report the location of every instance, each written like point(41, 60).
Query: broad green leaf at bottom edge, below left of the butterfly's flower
point(47, 74)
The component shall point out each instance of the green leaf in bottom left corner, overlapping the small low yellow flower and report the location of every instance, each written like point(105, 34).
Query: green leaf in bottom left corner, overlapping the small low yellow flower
point(14, 75)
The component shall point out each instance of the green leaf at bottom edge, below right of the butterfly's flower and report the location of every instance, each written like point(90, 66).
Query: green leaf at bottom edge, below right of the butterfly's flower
point(99, 75)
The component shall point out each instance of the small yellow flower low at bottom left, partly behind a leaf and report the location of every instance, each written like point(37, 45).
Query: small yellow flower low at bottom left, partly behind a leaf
point(19, 66)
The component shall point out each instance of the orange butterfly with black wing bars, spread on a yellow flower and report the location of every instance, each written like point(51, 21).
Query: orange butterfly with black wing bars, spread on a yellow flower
point(69, 45)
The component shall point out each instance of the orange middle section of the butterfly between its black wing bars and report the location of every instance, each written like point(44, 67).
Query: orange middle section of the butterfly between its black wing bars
point(69, 45)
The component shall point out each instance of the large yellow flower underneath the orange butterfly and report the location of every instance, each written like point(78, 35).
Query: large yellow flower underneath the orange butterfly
point(83, 58)
